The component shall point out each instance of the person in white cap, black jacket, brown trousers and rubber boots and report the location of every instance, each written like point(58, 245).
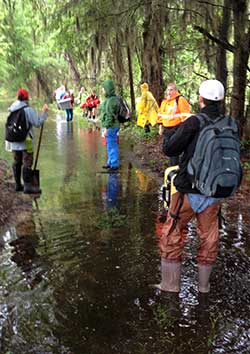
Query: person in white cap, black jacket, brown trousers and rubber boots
point(189, 202)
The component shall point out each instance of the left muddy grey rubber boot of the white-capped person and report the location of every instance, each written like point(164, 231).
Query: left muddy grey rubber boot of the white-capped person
point(170, 276)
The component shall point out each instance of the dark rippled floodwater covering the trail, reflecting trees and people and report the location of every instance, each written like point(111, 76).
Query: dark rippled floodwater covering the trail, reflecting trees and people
point(75, 278)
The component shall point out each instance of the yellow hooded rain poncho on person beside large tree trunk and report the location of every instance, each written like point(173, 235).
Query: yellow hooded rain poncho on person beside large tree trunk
point(147, 108)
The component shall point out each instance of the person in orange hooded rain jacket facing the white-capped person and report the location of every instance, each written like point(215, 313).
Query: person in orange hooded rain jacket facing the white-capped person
point(174, 110)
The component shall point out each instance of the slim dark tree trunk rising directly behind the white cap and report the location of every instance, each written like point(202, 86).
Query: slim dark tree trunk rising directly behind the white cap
point(221, 55)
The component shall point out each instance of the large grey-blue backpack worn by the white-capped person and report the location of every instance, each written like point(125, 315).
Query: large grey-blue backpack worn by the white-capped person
point(215, 168)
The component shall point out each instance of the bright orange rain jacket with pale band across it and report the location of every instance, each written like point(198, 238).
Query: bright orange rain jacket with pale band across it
point(173, 111)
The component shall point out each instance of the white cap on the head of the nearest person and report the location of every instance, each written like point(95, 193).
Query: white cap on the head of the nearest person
point(212, 90)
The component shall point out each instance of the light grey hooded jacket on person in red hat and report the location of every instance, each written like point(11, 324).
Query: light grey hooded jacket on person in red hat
point(32, 119)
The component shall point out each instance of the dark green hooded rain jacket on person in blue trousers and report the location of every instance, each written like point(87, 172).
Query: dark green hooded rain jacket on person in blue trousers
point(110, 107)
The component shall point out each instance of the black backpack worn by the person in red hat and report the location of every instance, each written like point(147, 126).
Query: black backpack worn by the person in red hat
point(16, 127)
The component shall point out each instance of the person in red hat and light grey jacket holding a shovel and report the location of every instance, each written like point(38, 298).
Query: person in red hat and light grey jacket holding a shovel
point(23, 151)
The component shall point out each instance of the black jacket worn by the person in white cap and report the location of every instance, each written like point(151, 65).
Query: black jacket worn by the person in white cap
point(183, 139)
